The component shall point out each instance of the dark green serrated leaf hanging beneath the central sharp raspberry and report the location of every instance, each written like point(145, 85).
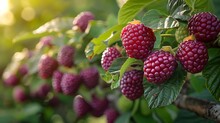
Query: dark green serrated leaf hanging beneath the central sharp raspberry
point(166, 93)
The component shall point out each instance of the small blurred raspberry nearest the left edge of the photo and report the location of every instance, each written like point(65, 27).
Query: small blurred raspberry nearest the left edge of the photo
point(11, 80)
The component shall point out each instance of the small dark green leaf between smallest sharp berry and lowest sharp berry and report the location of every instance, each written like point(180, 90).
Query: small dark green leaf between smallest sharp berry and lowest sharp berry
point(117, 64)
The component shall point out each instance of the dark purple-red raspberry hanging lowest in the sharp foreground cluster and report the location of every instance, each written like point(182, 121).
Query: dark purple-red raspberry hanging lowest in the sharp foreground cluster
point(131, 84)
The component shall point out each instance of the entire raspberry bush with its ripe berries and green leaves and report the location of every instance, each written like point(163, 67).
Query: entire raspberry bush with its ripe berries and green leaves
point(132, 68)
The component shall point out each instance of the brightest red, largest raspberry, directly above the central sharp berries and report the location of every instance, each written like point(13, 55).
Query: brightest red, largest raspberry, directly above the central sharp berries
point(138, 40)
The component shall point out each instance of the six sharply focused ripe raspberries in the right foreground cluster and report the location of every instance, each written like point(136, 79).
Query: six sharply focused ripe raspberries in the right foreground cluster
point(138, 42)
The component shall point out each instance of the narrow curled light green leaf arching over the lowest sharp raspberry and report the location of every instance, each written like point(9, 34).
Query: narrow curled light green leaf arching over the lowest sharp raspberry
point(128, 63)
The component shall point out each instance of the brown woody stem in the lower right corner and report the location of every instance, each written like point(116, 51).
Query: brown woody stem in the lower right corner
point(201, 107)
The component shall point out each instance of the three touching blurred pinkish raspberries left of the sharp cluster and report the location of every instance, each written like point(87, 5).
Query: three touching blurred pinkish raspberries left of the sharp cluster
point(68, 83)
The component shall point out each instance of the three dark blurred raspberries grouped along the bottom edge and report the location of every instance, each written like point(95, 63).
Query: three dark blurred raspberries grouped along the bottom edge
point(96, 107)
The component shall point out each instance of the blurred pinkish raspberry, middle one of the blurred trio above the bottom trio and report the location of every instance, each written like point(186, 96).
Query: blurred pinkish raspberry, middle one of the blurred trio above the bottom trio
point(70, 83)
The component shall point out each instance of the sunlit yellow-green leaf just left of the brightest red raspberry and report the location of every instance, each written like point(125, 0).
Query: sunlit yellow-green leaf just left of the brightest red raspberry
point(98, 45)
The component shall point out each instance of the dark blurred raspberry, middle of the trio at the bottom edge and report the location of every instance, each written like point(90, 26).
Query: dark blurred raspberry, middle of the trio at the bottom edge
point(98, 105)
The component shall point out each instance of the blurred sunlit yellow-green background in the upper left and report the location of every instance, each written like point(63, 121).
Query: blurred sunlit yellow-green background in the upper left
point(20, 16)
